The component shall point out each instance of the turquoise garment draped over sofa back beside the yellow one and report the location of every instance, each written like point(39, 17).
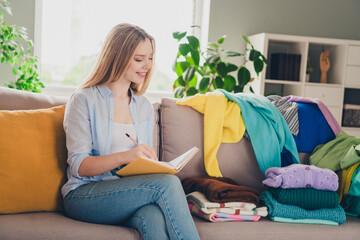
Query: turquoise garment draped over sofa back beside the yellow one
point(268, 131)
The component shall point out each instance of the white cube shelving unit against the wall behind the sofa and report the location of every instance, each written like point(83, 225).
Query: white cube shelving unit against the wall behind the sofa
point(343, 77)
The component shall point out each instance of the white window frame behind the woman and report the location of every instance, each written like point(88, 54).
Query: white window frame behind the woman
point(201, 16)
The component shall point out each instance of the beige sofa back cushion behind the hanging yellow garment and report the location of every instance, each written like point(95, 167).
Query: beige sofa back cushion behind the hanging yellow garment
point(183, 127)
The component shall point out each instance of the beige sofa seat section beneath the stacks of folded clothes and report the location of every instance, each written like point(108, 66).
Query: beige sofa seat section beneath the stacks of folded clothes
point(267, 229)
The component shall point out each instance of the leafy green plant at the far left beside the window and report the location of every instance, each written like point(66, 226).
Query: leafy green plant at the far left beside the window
point(16, 50)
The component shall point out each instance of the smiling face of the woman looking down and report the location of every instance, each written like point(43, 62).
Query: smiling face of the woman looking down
point(141, 63)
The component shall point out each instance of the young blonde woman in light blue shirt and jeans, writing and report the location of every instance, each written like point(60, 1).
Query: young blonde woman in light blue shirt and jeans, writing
point(97, 117)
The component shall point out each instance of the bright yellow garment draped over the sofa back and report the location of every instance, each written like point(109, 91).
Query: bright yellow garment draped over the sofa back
point(223, 123)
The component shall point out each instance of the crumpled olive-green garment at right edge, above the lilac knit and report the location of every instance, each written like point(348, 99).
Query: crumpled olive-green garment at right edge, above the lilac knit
point(337, 154)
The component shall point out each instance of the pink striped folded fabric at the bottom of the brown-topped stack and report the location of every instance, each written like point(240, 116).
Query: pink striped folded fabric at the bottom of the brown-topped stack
point(221, 217)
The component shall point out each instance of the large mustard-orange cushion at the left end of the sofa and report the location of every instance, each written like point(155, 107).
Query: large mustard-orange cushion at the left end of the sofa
point(33, 160)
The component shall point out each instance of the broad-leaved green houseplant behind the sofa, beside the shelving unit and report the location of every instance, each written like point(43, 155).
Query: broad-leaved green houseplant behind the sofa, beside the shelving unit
point(196, 75)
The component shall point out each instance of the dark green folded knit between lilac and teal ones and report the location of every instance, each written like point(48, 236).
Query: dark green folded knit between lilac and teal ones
point(307, 198)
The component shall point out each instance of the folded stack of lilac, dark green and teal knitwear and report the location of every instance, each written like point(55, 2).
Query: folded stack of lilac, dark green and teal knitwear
point(302, 193)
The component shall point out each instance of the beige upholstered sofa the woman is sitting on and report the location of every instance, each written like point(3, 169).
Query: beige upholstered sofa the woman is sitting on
point(177, 129)
